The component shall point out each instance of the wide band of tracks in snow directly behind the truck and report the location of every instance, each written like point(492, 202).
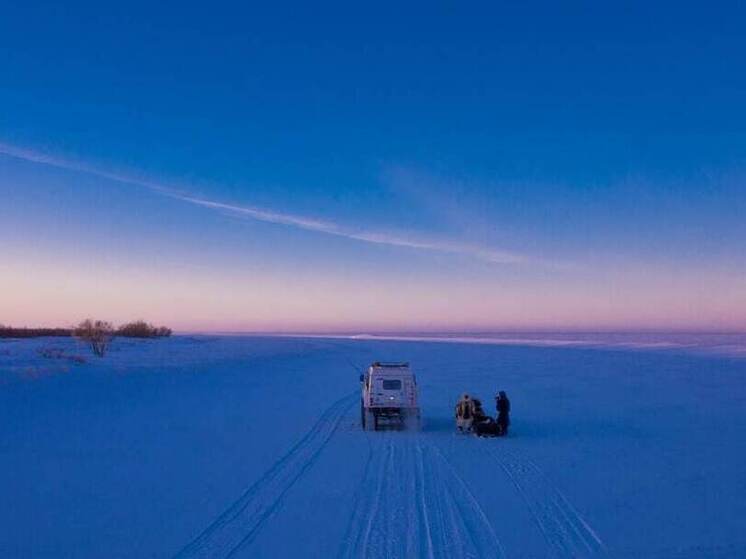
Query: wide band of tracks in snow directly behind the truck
point(412, 503)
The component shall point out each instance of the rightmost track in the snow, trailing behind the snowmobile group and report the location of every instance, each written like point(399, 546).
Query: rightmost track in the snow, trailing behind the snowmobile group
point(566, 532)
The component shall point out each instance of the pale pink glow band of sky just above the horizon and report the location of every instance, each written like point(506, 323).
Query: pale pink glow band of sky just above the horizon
point(59, 294)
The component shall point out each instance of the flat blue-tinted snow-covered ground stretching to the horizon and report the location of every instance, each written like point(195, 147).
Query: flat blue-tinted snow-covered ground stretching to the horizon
point(251, 447)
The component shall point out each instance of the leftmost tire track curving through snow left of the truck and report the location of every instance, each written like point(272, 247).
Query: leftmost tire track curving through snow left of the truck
point(241, 523)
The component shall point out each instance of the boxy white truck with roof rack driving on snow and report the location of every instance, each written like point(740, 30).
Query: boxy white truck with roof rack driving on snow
point(389, 397)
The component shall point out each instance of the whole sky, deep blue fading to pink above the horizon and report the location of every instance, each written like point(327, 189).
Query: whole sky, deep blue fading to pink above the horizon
point(475, 166)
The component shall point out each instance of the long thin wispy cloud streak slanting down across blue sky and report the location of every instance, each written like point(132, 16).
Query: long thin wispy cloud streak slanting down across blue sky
point(396, 239)
